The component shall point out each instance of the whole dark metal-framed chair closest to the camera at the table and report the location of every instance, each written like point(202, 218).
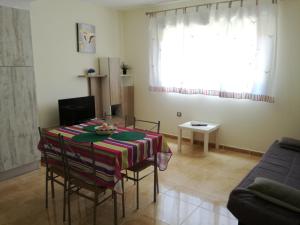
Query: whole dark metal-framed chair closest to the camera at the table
point(82, 174)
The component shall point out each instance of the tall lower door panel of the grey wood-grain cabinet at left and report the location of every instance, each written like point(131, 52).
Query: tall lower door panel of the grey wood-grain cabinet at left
point(18, 117)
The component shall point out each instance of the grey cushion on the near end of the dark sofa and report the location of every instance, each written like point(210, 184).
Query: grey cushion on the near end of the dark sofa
point(277, 193)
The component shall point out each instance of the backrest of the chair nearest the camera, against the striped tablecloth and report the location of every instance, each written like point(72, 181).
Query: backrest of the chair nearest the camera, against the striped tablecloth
point(80, 161)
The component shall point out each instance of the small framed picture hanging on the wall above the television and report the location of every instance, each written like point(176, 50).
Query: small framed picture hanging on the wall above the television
point(86, 38)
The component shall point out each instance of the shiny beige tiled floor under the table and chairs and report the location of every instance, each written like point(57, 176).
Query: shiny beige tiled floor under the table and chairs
point(193, 191)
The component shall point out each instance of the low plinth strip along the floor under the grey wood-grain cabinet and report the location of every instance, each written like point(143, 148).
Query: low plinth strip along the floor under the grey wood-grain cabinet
point(19, 170)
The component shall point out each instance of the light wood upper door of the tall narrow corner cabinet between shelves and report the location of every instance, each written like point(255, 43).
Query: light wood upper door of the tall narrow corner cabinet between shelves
point(114, 81)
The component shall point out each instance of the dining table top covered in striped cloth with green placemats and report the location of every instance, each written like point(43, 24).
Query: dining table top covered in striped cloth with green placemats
point(113, 154)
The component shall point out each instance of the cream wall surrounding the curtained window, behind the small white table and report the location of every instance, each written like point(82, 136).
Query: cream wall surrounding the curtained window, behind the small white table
point(245, 124)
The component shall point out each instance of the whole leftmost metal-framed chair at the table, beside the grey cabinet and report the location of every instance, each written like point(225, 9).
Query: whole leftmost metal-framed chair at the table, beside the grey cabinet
point(53, 159)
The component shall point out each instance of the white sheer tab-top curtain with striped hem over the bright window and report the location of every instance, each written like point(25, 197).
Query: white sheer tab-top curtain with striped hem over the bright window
point(222, 50)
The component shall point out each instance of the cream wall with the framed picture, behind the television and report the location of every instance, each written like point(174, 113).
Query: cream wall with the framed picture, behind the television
point(56, 60)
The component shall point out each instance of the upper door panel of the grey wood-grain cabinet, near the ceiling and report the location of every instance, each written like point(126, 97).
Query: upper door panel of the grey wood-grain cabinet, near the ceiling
point(15, 37)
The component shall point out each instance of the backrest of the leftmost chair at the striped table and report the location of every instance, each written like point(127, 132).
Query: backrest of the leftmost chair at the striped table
point(52, 153)
